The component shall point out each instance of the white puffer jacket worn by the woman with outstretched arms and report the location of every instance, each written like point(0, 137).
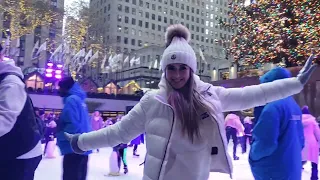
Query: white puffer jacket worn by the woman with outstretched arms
point(155, 116)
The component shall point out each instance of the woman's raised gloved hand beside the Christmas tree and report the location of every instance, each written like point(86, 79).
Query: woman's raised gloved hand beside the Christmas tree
point(307, 70)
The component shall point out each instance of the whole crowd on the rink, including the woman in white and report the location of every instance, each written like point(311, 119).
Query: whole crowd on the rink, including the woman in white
point(183, 122)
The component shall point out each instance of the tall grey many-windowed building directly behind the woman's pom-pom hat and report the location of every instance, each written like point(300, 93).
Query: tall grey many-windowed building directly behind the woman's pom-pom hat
point(129, 25)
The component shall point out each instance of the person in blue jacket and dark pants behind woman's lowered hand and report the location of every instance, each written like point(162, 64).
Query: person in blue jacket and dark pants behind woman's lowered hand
point(74, 118)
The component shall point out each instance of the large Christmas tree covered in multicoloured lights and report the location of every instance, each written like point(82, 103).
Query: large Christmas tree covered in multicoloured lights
point(274, 31)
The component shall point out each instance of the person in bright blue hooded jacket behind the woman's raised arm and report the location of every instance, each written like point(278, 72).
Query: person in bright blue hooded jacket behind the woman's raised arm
point(277, 136)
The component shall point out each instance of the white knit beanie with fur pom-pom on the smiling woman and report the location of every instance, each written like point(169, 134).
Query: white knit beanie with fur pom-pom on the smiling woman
point(178, 49)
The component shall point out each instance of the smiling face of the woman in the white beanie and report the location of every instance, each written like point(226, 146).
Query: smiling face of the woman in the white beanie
point(177, 75)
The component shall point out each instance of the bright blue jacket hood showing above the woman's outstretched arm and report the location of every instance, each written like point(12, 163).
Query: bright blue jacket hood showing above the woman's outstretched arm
point(275, 74)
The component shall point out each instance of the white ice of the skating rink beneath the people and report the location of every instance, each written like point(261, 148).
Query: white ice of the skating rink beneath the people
point(50, 169)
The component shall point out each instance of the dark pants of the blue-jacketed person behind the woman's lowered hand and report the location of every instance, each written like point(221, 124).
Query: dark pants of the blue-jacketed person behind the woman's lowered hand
point(75, 167)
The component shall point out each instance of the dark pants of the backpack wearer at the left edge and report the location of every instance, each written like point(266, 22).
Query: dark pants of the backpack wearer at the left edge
point(19, 169)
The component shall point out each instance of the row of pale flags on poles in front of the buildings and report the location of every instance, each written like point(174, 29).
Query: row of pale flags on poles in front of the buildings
point(75, 61)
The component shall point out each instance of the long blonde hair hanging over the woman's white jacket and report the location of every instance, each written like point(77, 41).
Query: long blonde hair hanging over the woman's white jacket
point(187, 105)
